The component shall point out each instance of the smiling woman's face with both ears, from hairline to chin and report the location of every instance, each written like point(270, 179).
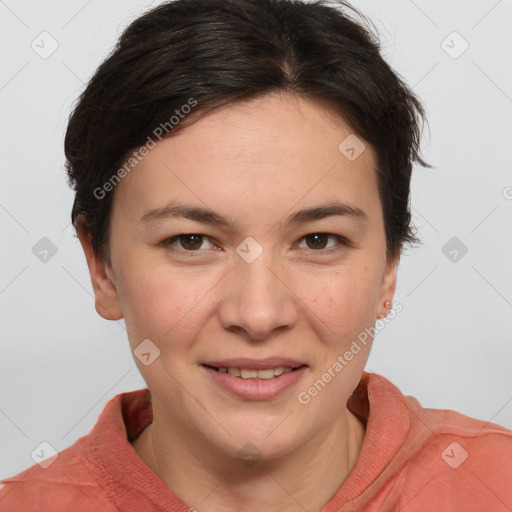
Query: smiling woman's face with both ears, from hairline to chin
point(250, 240)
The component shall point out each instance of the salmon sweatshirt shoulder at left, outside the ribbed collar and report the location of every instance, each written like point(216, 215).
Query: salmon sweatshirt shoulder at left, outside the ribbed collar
point(60, 485)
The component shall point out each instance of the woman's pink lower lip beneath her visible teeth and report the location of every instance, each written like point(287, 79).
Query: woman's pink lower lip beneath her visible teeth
point(256, 389)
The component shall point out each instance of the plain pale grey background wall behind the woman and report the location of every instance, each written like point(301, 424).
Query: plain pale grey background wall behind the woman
point(450, 346)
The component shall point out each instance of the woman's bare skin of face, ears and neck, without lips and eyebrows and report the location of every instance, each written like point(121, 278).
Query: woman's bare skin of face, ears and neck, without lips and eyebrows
point(255, 163)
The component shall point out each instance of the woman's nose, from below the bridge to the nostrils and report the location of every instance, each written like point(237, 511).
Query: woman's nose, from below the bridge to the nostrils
point(259, 301)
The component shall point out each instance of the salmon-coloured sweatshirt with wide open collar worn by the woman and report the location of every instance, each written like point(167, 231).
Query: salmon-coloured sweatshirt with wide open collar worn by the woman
point(413, 459)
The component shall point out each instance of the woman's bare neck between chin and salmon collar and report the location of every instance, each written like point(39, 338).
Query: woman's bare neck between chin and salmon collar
point(307, 478)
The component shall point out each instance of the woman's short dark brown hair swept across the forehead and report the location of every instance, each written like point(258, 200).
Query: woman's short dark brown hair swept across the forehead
point(224, 51)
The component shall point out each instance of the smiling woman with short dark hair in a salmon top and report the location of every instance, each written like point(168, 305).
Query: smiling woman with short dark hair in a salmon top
point(242, 174)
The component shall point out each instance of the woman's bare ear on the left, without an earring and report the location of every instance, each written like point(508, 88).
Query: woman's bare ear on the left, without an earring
point(105, 292)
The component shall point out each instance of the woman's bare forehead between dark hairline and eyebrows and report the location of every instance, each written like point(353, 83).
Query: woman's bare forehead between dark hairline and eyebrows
point(272, 152)
